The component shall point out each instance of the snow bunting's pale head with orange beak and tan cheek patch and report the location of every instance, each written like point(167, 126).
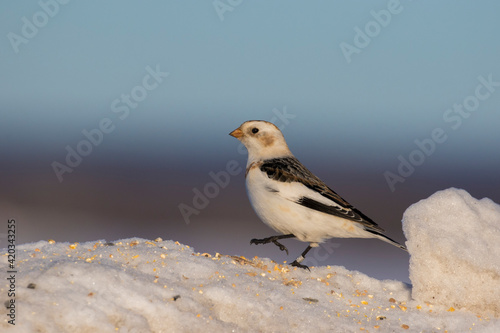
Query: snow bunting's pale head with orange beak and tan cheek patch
point(262, 139)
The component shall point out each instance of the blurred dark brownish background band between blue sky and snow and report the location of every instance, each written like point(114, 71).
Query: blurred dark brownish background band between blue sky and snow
point(115, 203)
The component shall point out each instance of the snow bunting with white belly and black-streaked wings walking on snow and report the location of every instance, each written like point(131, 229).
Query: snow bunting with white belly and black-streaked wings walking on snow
point(292, 200)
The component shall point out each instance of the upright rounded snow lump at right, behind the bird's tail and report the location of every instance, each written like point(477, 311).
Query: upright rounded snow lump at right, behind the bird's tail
point(454, 242)
